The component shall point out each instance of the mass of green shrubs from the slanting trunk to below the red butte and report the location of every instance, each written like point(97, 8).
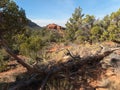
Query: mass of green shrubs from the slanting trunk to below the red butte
point(32, 42)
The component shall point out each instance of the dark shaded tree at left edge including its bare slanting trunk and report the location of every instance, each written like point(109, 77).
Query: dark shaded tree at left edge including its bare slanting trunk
point(12, 21)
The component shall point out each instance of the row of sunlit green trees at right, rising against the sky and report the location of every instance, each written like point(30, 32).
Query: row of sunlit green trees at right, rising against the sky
point(87, 28)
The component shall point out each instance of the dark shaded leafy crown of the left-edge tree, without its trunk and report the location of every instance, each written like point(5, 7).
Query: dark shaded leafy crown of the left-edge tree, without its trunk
point(13, 19)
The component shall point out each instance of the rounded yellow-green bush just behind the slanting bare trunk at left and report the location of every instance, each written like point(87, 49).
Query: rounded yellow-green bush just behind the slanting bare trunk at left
point(28, 45)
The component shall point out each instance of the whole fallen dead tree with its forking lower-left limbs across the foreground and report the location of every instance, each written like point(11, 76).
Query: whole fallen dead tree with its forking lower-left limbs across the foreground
point(61, 67)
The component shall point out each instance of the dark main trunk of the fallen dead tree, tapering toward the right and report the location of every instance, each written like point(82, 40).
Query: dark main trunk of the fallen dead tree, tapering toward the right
point(71, 63)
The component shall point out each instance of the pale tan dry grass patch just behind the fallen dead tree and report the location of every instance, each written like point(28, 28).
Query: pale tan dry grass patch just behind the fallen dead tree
point(81, 50)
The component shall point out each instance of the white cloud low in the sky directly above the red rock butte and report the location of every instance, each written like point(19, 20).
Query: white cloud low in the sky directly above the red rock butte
point(44, 22)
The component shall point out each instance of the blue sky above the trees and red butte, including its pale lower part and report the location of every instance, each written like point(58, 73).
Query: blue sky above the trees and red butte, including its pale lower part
point(44, 12)
